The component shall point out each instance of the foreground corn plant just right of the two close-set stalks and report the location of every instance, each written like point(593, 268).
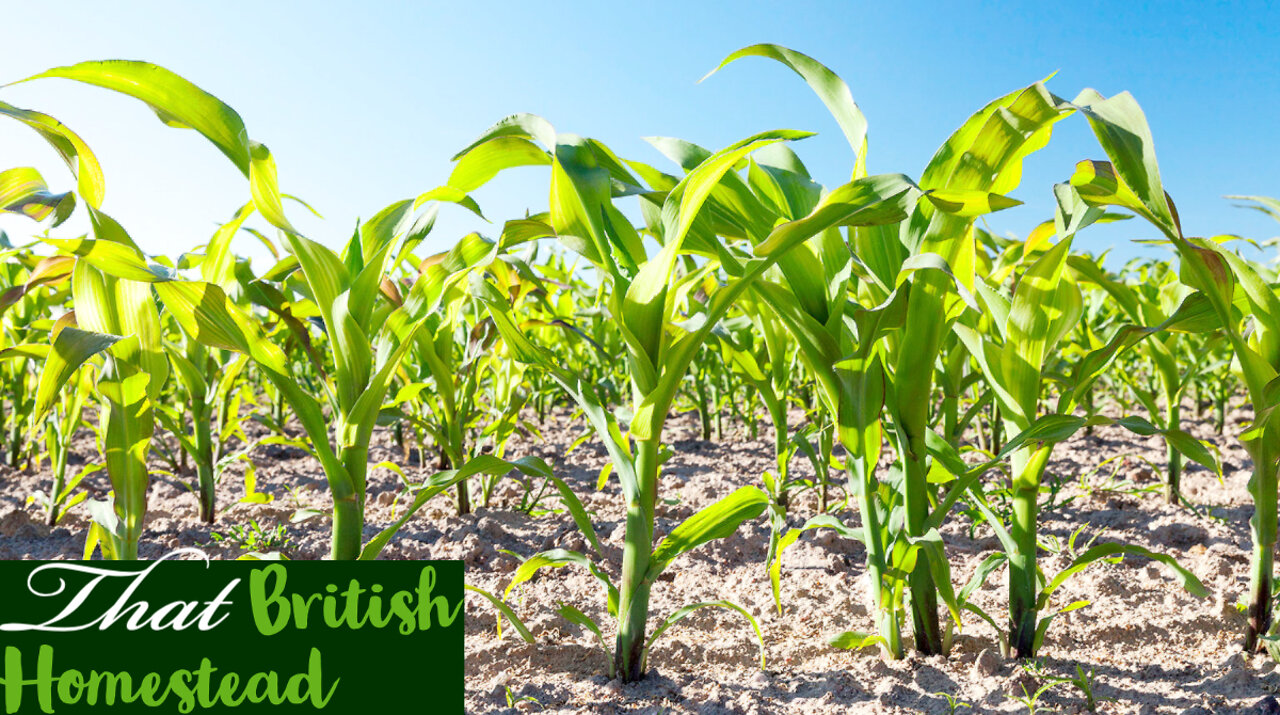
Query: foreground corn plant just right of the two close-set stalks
point(1028, 328)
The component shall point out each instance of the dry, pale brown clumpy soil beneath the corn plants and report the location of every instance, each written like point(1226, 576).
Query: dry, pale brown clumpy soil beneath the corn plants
point(1151, 647)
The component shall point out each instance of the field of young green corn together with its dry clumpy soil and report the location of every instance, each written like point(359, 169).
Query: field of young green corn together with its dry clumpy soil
point(710, 437)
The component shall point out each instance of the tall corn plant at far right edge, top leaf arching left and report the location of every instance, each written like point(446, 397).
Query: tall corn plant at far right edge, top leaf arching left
point(1245, 304)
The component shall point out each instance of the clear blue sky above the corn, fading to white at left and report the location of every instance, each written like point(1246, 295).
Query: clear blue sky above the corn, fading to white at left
point(364, 104)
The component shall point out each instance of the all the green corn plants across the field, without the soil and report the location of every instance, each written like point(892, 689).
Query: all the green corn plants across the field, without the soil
point(924, 368)
